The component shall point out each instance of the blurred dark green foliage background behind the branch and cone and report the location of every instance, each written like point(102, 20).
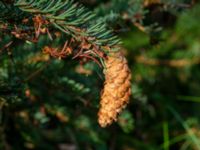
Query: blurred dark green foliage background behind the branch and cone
point(48, 103)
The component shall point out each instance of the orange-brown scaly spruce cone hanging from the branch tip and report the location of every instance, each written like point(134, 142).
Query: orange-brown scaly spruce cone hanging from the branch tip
point(117, 88)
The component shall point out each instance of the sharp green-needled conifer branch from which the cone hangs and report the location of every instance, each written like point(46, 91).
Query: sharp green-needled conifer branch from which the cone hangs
point(72, 19)
